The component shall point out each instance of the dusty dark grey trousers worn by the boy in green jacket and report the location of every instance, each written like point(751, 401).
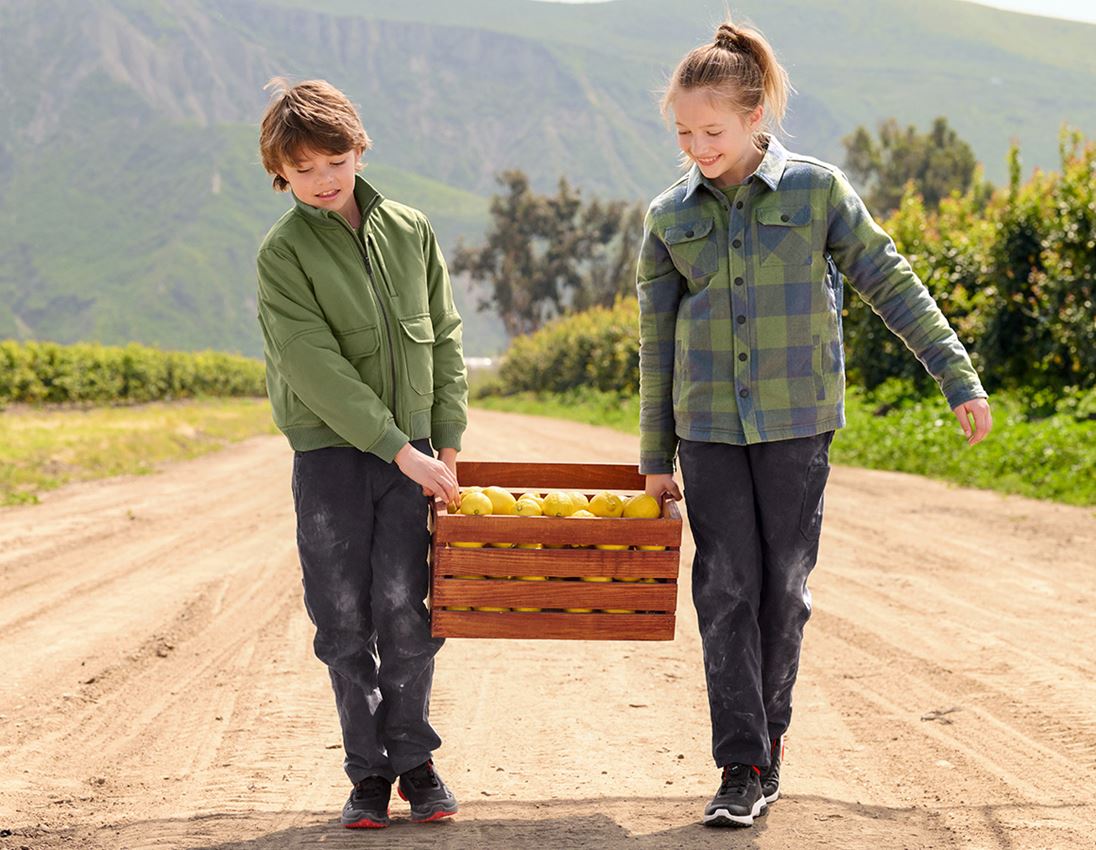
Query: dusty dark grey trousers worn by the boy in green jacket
point(364, 544)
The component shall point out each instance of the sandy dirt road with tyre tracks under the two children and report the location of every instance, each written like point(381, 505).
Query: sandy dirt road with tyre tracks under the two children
point(158, 687)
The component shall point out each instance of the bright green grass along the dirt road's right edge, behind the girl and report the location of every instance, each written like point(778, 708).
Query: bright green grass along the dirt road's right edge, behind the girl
point(1052, 458)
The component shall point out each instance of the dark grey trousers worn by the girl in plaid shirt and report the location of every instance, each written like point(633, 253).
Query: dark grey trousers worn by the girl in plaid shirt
point(756, 513)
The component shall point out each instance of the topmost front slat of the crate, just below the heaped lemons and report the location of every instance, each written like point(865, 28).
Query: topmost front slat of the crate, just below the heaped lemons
point(517, 530)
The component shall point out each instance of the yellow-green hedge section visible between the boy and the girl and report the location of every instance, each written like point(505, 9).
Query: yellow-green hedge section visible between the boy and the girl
point(598, 349)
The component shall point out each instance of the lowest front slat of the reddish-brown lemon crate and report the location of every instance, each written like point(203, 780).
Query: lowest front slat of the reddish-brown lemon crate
point(586, 627)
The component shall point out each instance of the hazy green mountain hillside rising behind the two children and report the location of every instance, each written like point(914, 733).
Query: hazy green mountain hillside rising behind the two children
point(132, 199)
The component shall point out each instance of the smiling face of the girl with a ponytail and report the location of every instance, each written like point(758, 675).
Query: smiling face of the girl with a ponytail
point(716, 137)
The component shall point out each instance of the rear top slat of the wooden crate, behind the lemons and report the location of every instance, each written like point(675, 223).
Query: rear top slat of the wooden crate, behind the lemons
point(585, 477)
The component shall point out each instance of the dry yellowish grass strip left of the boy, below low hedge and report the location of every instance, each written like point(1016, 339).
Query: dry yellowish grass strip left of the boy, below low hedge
point(44, 449)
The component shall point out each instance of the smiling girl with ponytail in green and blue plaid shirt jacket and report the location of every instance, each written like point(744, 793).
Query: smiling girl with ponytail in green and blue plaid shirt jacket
point(743, 377)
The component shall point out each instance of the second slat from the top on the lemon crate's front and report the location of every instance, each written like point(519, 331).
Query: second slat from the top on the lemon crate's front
point(557, 562)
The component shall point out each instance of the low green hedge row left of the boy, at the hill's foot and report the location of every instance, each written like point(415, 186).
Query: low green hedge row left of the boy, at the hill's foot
point(47, 373)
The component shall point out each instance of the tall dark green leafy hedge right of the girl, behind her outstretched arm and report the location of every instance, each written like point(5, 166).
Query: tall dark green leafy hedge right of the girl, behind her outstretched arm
point(1013, 273)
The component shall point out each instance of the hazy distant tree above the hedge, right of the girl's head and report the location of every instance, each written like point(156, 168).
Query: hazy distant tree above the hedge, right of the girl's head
point(938, 163)
